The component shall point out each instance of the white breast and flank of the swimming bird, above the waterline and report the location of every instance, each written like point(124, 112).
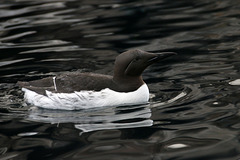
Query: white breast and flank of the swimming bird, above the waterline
point(87, 99)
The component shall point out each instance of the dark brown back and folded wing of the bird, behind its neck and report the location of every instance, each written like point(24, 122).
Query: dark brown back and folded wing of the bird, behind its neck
point(70, 82)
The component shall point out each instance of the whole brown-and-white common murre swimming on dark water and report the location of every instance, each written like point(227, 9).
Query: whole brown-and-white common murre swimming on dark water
point(73, 91)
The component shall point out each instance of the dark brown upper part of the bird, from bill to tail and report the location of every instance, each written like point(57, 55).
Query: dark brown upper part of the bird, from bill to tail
point(127, 75)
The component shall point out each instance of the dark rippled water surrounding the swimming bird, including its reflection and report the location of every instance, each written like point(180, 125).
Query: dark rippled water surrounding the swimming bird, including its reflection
point(195, 111)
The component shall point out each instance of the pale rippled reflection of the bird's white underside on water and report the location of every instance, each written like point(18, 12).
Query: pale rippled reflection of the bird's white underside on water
point(97, 119)
